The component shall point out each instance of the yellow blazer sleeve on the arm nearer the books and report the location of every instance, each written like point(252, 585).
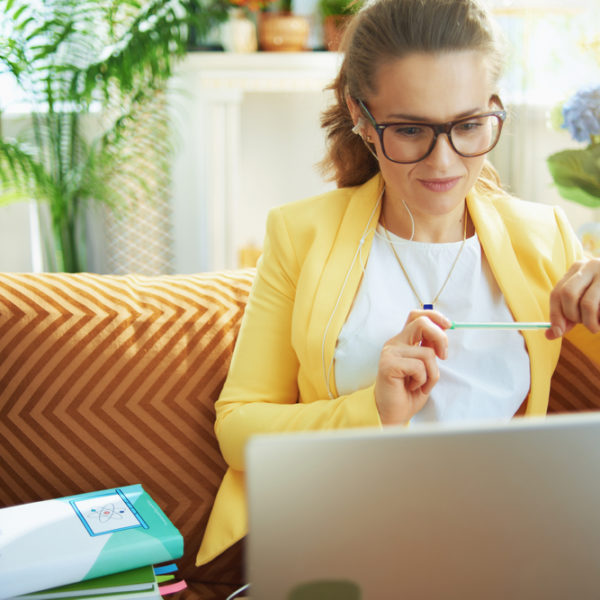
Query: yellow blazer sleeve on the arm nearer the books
point(261, 393)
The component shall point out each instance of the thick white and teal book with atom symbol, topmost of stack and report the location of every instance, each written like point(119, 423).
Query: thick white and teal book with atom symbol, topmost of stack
point(55, 542)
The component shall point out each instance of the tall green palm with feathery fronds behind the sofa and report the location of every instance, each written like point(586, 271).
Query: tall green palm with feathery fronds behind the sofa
point(91, 72)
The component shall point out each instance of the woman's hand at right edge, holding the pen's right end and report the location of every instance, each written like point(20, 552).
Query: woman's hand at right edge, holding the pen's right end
point(576, 299)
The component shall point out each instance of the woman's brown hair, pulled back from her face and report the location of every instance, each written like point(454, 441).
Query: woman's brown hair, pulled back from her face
point(386, 30)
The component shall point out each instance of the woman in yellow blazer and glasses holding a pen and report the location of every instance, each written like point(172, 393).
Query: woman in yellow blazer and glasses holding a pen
point(348, 324)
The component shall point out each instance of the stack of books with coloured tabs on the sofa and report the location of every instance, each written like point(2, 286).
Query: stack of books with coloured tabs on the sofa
point(113, 544)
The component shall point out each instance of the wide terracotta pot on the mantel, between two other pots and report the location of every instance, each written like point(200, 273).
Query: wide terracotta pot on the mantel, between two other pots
point(282, 32)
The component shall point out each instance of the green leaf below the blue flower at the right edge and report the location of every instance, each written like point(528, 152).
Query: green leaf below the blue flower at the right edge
point(576, 174)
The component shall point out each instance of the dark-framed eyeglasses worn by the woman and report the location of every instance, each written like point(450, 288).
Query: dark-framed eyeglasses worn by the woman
point(410, 142)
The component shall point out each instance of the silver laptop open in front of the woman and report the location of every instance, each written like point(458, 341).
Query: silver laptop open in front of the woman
point(485, 511)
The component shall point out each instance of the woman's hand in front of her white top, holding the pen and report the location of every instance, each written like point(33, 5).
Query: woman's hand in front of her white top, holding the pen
point(408, 368)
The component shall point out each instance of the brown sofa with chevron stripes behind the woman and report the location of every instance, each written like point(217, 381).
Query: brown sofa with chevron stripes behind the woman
point(111, 380)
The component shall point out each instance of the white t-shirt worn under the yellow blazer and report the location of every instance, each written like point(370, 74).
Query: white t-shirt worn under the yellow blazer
point(486, 374)
